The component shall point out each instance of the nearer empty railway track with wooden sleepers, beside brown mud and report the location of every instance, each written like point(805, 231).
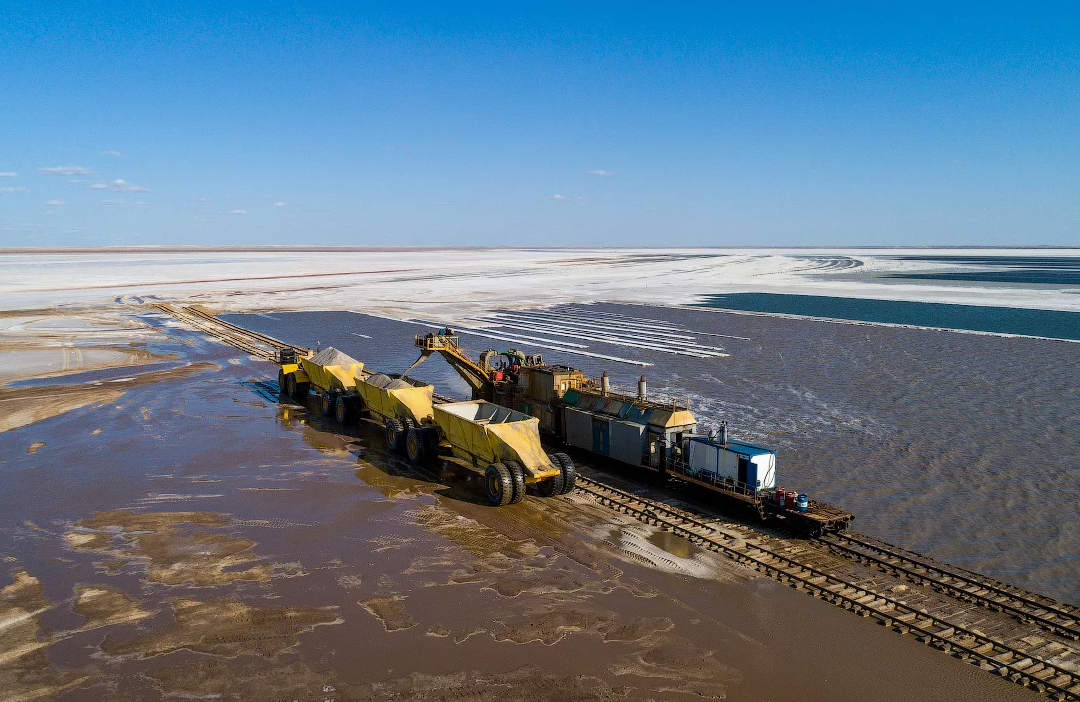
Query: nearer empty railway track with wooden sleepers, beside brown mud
point(956, 640)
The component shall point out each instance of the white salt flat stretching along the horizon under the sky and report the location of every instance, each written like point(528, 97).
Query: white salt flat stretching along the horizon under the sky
point(403, 282)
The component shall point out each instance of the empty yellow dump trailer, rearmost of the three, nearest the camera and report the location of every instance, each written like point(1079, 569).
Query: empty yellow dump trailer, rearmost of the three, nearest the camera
point(508, 442)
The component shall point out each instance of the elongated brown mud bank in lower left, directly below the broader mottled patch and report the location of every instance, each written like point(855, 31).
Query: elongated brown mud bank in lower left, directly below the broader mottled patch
point(225, 627)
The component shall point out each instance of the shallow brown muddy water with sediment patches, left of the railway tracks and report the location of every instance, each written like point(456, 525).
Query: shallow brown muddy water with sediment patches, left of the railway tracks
point(198, 539)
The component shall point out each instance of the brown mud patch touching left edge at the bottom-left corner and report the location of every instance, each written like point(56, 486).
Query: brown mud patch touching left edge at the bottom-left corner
point(25, 671)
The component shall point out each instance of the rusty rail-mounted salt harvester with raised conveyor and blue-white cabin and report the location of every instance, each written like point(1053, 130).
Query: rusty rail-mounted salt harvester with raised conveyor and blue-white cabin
point(632, 430)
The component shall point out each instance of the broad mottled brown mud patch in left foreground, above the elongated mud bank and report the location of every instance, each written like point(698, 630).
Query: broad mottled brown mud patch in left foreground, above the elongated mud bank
point(173, 557)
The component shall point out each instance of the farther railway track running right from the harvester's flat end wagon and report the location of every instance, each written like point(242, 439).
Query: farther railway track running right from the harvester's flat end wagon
point(1029, 610)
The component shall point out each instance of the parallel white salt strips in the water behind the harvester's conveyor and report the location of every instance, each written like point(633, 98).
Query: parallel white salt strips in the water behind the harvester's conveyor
point(574, 331)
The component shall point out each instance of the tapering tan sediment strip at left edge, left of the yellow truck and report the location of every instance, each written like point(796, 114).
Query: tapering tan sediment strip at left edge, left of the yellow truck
point(22, 407)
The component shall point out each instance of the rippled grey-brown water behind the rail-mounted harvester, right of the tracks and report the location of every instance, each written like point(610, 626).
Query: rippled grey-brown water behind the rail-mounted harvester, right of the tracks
point(966, 448)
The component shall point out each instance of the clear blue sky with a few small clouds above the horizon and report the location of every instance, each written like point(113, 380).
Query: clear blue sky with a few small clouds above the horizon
point(570, 125)
